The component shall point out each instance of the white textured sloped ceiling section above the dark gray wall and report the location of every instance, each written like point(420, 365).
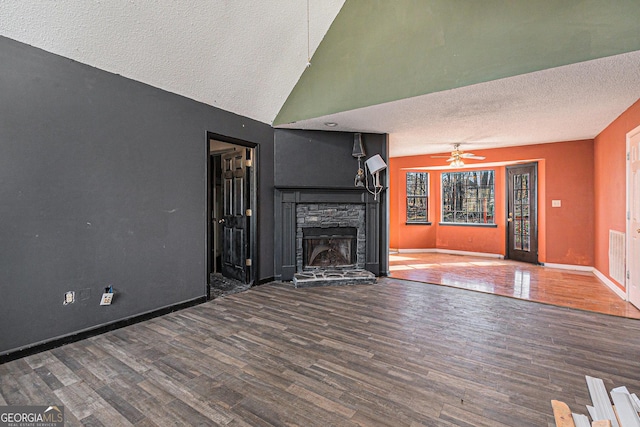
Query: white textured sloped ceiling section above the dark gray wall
point(243, 56)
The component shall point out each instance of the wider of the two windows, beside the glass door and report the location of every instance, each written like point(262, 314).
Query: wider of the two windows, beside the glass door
point(468, 197)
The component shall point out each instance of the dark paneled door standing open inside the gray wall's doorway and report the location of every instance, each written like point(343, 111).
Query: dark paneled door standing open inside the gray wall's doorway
point(234, 215)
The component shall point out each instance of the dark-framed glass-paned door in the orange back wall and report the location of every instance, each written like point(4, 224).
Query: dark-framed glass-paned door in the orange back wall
point(522, 213)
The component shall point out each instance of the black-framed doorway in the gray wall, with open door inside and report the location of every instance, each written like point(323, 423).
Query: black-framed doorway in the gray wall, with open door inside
point(231, 215)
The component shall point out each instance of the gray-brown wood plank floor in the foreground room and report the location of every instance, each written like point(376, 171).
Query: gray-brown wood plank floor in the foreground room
point(398, 353)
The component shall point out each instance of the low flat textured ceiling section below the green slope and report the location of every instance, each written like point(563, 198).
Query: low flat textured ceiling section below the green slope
point(566, 103)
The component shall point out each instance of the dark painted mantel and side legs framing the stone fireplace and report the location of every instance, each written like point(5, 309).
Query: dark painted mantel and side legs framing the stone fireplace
point(286, 201)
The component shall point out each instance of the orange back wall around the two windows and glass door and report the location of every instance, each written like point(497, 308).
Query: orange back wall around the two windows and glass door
point(565, 234)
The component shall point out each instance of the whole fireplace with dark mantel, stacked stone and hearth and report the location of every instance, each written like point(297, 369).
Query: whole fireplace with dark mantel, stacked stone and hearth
point(328, 236)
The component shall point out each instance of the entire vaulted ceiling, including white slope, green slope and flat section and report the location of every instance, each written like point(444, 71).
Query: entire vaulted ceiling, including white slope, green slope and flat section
point(428, 72)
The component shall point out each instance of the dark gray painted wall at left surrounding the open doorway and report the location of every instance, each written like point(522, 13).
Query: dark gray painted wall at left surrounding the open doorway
point(102, 182)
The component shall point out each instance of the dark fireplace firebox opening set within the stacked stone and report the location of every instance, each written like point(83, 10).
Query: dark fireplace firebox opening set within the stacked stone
point(329, 247)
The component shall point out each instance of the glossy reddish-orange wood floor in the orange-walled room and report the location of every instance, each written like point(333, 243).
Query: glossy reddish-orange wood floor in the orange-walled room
point(582, 290)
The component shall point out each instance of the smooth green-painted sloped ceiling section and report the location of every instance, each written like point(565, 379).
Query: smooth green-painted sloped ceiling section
point(378, 51)
